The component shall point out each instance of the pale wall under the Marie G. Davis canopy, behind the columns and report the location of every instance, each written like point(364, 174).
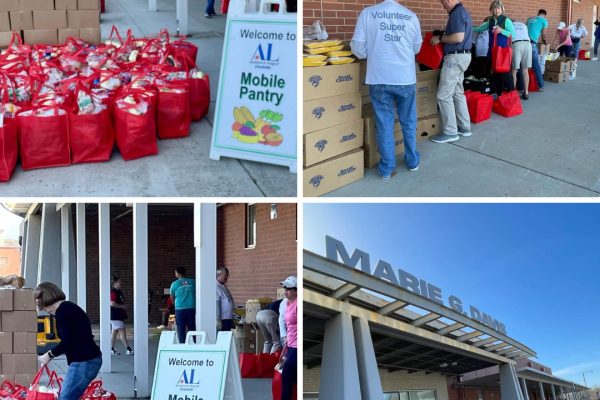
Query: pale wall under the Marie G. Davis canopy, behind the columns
point(399, 380)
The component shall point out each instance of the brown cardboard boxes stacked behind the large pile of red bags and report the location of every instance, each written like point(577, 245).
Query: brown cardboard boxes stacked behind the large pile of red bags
point(49, 21)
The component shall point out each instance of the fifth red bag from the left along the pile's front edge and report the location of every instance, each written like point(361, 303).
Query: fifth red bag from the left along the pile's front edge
point(173, 111)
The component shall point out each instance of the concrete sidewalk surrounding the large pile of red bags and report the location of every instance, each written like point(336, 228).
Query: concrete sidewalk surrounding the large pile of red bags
point(183, 166)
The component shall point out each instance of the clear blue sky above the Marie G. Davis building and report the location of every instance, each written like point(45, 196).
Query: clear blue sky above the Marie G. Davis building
point(534, 267)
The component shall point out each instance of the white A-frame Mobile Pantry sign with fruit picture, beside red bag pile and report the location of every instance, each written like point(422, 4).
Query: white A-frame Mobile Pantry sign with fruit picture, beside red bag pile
point(256, 115)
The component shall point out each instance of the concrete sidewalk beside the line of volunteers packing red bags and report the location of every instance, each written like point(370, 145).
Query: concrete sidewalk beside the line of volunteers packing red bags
point(551, 150)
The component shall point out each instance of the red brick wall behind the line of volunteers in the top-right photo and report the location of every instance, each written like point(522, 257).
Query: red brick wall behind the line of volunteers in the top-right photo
point(339, 16)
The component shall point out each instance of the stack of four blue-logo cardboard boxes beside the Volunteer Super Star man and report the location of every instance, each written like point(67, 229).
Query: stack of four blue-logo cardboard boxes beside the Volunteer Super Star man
point(333, 128)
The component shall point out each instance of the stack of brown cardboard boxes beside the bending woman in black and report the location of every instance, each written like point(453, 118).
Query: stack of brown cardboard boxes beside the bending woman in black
point(18, 336)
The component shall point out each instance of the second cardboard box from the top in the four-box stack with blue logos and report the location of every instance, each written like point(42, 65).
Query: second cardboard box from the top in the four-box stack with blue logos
point(331, 111)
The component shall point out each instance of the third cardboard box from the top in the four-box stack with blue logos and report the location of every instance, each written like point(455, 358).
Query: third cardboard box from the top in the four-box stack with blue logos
point(322, 145)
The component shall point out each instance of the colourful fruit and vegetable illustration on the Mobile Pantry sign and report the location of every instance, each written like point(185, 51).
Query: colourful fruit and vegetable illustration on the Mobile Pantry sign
point(261, 130)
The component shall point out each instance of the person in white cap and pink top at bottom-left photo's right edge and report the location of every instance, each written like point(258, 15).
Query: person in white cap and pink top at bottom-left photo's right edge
point(288, 324)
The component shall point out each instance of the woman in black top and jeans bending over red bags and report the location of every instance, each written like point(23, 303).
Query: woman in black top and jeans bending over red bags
point(76, 340)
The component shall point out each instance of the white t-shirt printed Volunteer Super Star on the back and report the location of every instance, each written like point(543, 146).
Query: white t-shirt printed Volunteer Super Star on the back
point(392, 35)
